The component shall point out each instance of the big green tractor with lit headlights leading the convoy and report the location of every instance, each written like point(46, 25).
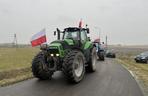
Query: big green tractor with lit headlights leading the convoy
point(73, 54)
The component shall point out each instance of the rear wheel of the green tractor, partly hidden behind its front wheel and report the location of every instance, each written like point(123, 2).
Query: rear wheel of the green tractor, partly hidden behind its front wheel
point(93, 60)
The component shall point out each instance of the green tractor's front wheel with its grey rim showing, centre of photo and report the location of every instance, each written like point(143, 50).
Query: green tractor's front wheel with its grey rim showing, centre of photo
point(74, 66)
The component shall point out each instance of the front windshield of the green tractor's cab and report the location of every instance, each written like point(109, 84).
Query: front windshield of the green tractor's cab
point(69, 35)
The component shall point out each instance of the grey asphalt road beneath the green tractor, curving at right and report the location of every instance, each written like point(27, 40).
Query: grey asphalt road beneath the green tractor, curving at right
point(110, 79)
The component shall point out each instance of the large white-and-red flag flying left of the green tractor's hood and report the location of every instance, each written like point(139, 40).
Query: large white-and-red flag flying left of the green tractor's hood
point(39, 38)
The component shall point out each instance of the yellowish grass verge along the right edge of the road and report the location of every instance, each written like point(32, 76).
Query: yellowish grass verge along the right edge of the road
point(140, 70)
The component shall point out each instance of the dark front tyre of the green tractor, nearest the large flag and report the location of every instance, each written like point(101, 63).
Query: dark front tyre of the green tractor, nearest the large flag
point(39, 67)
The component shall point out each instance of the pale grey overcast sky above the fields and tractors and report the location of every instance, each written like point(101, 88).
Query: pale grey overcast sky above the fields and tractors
point(123, 21)
